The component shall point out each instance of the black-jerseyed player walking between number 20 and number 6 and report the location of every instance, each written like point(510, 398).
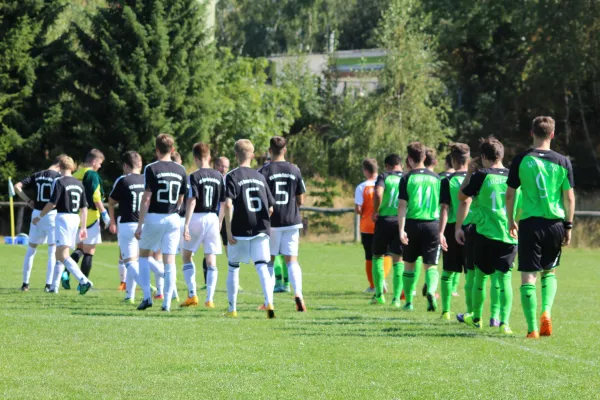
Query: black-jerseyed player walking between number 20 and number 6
point(206, 192)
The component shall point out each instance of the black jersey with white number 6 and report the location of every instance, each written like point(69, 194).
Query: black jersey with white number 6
point(251, 197)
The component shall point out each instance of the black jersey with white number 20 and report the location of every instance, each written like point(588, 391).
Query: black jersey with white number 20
point(167, 180)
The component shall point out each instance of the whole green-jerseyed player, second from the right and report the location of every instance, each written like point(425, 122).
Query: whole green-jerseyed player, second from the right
point(495, 249)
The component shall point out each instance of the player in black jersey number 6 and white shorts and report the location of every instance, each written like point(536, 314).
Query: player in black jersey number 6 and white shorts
point(248, 205)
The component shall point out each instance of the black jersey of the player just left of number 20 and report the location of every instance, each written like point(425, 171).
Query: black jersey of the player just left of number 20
point(128, 191)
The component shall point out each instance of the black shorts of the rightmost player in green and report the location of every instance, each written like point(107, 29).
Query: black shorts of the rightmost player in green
point(540, 244)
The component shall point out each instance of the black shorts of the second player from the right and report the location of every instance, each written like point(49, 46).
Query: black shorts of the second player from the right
point(493, 255)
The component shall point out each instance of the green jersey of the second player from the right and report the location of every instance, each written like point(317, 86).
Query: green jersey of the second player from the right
point(489, 185)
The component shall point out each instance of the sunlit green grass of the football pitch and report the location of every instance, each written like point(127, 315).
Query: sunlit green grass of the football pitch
point(71, 346)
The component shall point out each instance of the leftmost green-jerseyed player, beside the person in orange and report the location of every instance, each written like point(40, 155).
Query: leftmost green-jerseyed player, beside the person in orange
point(387, 236)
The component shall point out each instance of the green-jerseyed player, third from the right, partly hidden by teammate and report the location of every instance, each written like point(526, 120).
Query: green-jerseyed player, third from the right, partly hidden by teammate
point(454, 253)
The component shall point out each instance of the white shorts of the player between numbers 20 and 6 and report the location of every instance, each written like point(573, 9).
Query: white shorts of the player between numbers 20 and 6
point(204, 230)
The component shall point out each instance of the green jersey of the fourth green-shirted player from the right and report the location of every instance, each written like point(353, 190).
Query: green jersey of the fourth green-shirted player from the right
point(420, 188)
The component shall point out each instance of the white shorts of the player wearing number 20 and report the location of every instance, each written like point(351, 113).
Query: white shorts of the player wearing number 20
point(161, 232)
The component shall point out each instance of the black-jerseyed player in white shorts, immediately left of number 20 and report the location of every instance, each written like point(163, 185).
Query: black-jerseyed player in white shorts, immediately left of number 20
point(127, 193)
